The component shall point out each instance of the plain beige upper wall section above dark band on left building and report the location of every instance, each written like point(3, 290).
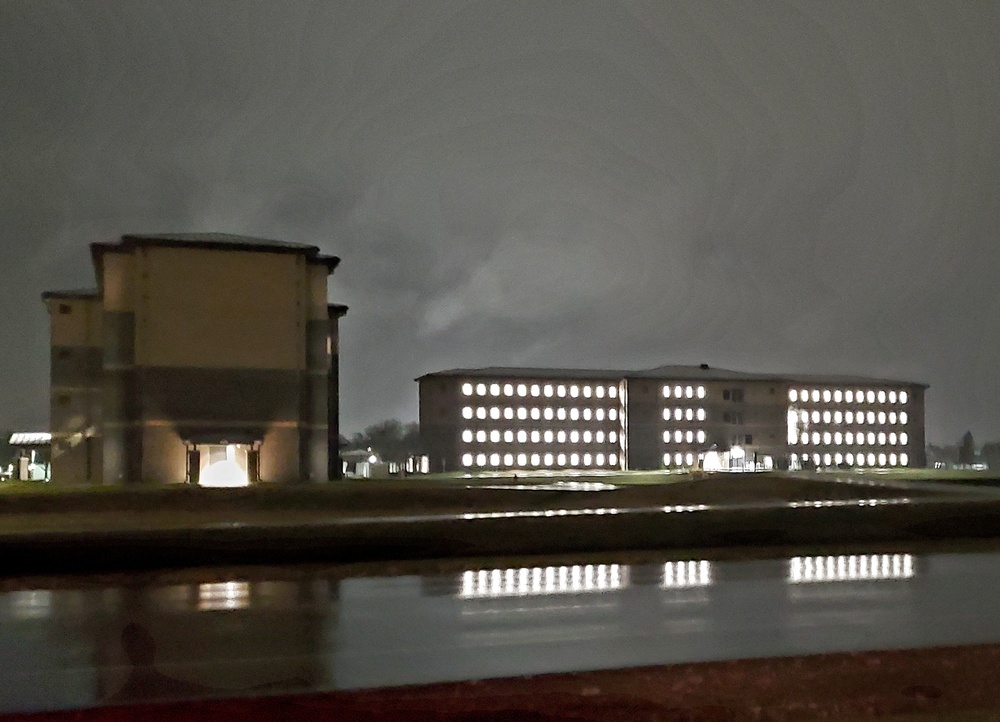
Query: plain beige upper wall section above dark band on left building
point(220, 309)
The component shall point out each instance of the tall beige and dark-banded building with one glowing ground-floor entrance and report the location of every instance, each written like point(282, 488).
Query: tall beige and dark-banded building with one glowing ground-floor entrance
point(203, 358)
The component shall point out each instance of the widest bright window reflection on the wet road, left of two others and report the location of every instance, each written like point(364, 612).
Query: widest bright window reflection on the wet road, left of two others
point(534, 581)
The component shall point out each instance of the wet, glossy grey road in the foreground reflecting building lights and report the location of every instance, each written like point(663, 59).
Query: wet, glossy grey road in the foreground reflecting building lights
point(80, 642)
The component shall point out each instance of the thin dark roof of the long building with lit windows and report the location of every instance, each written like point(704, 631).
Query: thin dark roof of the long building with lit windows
point(702, 372)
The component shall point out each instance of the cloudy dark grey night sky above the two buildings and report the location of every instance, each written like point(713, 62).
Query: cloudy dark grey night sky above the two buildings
point(772, 186)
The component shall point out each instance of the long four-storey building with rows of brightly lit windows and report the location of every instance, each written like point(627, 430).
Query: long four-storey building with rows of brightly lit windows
point(673, 417)
